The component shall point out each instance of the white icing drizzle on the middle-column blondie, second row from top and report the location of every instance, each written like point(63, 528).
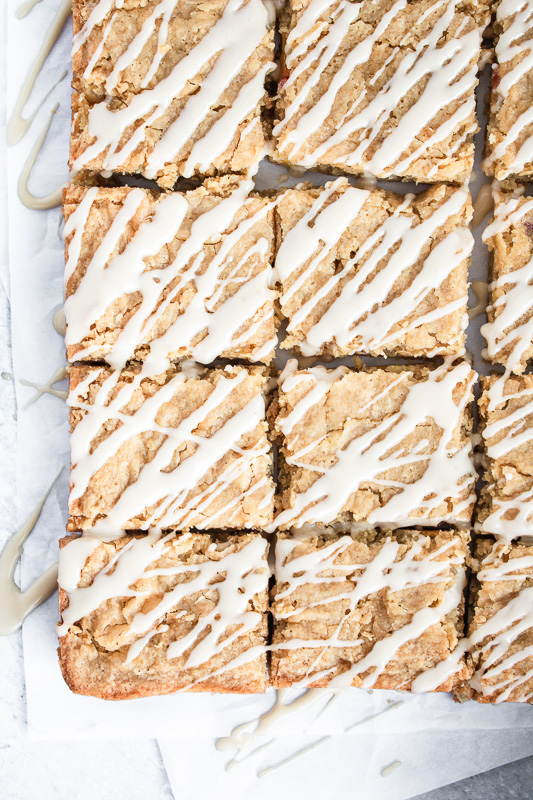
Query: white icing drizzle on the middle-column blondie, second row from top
point(359, 318)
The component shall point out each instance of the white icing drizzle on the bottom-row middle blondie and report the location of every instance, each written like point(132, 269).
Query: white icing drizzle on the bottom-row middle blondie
point(389, 570)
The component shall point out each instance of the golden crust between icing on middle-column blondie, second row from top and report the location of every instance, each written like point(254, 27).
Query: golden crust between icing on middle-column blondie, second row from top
point(443, 334)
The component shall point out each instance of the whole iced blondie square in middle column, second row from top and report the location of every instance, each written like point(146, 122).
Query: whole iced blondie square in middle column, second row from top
point(374, 273)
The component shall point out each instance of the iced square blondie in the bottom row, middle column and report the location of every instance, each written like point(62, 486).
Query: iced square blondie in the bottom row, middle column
point(363, 610)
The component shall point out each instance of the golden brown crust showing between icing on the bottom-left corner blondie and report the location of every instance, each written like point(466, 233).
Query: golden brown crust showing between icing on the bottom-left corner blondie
point(93, 651)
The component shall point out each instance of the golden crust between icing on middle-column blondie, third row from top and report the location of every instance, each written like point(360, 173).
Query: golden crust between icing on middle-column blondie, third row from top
point(355, 404)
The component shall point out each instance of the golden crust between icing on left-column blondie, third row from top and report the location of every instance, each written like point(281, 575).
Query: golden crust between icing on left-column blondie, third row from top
point(242, 500)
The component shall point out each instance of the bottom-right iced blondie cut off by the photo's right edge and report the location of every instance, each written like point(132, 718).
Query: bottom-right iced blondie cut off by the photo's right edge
point(501, 629)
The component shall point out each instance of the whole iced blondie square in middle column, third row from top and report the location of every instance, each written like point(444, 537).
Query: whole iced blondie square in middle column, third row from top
point(387, 447)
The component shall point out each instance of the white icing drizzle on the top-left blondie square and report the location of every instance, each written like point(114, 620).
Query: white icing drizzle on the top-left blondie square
point(230, 42)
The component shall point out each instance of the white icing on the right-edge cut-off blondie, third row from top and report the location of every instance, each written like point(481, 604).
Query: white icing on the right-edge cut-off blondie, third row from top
point(510, 516)
